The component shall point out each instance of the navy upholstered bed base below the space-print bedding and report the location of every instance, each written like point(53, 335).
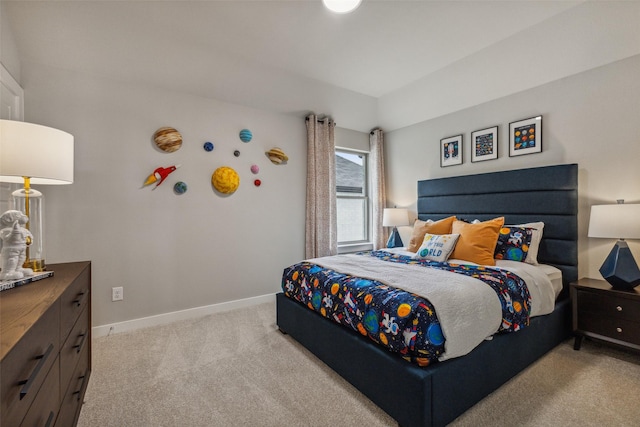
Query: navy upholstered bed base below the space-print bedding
point(415, 396)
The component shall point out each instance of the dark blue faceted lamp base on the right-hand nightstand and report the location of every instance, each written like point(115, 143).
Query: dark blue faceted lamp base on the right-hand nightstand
point(620, 268)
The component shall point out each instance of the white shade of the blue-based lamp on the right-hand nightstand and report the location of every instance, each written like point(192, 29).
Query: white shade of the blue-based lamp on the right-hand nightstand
point(620, 221)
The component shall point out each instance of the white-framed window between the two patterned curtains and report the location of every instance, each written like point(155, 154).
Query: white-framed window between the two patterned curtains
point(352, 197)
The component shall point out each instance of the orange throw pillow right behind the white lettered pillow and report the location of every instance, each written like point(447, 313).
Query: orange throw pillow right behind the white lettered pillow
point(477, 242)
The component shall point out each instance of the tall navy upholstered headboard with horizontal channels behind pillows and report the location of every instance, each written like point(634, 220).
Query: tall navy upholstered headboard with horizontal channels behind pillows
point(548, 194)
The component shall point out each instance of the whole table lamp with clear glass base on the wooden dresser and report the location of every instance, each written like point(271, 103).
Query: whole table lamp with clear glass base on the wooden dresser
point(34, 154)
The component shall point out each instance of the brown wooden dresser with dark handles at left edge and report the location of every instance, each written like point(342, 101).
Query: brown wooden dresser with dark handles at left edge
point(45, 348)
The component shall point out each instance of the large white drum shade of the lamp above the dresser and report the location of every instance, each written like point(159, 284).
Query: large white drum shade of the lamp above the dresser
point(38, 152)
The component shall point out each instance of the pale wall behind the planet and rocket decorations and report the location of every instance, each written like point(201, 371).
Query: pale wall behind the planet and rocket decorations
point(169, 252)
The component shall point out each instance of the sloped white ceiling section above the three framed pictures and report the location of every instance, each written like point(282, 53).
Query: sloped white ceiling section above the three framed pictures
point(589, 35)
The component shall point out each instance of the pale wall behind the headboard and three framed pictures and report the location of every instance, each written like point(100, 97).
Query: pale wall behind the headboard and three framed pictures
point(590, 119)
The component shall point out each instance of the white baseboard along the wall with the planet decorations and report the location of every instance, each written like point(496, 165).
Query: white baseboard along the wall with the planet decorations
point(163, 319)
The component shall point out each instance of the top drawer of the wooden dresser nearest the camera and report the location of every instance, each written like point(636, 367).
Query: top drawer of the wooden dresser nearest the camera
point(25, 367)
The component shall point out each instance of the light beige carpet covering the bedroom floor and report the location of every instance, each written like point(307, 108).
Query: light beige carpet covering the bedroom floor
point(237, 369)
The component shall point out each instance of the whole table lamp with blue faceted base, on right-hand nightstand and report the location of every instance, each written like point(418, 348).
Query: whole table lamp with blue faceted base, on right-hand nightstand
point(621, 221)
